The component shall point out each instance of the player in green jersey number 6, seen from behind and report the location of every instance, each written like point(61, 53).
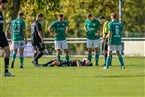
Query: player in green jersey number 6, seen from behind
point(114, 40)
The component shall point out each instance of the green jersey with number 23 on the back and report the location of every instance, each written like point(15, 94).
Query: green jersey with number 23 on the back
point(17, 27)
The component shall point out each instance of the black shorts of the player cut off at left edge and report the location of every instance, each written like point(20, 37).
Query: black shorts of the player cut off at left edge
point(3, 40)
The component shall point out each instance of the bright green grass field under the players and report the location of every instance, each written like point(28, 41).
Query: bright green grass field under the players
point(75, 81)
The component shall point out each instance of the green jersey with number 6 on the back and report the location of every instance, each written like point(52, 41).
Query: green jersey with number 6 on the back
point(116, 29)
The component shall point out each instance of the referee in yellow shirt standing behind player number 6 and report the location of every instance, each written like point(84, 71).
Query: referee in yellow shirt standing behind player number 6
point(105, 37)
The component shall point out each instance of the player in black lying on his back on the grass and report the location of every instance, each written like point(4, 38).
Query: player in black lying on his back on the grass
point(63, 63)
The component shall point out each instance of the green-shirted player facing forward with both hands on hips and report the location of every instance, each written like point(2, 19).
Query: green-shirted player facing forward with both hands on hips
point(59, 30)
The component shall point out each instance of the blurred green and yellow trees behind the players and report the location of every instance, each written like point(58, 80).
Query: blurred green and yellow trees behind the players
point(75, 12)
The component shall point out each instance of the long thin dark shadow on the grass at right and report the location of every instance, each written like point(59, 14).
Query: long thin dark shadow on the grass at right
point(119, 76)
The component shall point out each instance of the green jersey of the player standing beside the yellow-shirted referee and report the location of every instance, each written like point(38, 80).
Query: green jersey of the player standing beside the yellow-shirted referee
point(92, 27)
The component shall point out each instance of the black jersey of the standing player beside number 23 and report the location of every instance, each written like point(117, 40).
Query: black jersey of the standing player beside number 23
point(35, 27)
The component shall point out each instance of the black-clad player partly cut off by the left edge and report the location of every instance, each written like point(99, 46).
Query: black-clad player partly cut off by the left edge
point(3, 41)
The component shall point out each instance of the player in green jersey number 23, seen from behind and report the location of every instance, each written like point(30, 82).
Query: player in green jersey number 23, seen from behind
point(18, 38)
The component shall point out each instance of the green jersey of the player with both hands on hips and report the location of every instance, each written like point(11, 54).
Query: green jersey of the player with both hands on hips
point(59, 28)
